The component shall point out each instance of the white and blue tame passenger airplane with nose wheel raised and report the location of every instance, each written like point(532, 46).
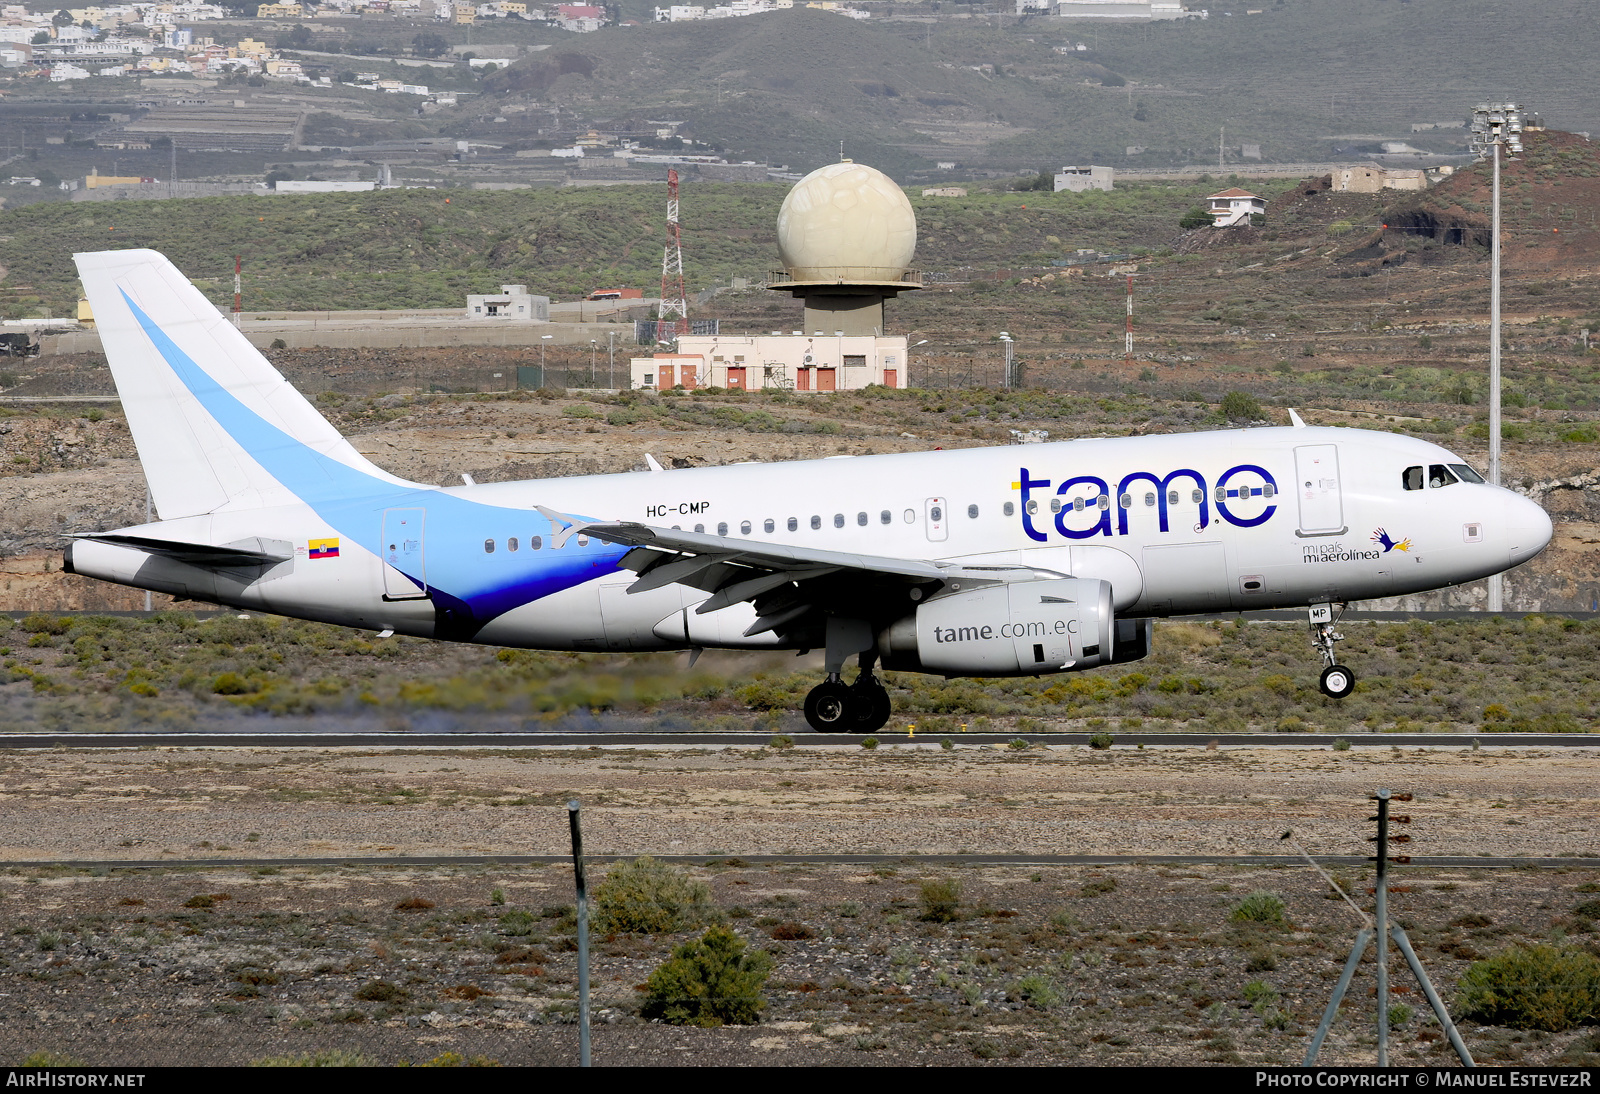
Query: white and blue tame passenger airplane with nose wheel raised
point(990, 562)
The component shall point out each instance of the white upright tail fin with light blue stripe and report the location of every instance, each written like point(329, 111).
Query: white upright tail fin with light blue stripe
point(209, 413)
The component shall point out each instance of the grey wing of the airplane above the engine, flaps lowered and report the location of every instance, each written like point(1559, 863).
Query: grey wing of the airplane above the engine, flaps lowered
point(791, 588)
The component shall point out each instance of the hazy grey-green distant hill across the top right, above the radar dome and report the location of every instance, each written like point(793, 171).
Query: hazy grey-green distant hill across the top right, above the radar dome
point(1297, 79)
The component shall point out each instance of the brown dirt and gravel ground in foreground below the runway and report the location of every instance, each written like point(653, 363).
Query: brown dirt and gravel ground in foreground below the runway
point(1038, 965)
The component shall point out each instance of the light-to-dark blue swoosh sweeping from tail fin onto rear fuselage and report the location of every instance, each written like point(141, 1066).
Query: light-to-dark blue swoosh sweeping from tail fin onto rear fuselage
point(353, 500)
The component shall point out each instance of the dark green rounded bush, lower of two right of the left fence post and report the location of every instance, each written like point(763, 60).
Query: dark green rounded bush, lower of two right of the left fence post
point(710, 981)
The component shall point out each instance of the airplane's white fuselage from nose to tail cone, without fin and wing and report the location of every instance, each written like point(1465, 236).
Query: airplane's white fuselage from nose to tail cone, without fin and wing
point(1177, 524)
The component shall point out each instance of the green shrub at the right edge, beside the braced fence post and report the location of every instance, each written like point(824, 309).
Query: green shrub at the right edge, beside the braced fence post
point(1534, 988)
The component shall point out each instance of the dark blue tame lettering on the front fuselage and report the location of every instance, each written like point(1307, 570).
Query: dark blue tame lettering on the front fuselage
point(1081, 508)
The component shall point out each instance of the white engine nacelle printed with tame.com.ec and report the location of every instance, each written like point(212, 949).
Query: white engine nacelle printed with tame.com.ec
point(1020, 629)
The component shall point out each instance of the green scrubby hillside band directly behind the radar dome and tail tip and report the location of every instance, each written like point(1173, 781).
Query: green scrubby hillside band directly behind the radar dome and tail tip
point(430, 249)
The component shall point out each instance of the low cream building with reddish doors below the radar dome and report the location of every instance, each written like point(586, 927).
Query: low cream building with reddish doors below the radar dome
point(790, 362)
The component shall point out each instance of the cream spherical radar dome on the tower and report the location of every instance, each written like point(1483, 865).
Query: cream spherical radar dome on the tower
point(847, 223)
